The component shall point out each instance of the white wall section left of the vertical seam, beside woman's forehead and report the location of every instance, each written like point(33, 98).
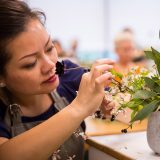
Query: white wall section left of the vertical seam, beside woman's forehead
point(69, 19)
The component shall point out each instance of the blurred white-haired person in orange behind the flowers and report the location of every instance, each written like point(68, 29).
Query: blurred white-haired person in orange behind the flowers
point(125, 49)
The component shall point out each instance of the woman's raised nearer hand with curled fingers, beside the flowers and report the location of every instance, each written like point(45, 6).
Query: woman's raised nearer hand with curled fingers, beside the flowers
point(91, 91)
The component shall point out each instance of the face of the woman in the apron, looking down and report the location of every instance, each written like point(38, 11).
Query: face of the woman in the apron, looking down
point(31, 69)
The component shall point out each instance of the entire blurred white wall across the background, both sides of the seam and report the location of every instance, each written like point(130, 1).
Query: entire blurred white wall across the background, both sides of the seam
point(95, 22)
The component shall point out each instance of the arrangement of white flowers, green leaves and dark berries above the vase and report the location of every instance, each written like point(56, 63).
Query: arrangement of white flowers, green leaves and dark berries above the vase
point(139, 90)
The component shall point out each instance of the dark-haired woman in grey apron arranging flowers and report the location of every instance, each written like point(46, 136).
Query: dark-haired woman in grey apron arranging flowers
point(27, 81)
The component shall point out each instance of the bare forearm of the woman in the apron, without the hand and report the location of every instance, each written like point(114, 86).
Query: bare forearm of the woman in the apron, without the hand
point(40, 142)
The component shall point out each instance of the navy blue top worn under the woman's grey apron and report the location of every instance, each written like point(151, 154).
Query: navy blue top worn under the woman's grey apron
point(69, 84)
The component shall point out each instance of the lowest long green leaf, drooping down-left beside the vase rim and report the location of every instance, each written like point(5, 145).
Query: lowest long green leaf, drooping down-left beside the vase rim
point(148, 108)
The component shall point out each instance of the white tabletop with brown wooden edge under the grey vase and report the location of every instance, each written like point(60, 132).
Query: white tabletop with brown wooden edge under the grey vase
point(124, 146)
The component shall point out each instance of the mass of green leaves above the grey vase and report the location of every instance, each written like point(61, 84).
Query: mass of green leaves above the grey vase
point(146, 92)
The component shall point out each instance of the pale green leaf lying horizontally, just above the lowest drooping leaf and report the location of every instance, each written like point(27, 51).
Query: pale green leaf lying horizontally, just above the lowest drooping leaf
point(144, 94)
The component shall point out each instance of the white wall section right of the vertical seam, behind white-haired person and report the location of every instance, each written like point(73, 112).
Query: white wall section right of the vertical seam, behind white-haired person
point(141, 15)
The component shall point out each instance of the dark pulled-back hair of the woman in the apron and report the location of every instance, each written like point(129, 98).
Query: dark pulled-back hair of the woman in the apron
point(14, 16)
